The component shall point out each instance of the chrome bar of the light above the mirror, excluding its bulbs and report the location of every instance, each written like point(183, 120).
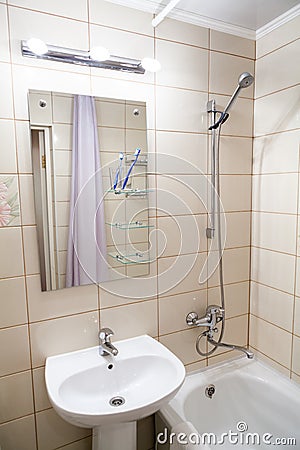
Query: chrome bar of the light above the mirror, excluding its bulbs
point(83, 58)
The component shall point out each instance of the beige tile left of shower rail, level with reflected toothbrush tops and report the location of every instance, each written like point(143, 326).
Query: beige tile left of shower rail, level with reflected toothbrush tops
point(172, 159)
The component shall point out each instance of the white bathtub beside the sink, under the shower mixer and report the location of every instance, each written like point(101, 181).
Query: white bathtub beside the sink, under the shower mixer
point(250, 398)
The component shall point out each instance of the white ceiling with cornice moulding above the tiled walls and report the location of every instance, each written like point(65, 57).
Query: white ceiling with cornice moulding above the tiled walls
point(247, 18)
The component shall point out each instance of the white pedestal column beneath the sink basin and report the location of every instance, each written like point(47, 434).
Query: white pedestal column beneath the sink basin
point(115, 437)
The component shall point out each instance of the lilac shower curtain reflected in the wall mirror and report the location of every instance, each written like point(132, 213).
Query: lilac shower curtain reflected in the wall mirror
point(86, 253)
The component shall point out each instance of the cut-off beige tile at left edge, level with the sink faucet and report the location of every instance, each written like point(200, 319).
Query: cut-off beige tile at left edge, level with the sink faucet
point(15, 356)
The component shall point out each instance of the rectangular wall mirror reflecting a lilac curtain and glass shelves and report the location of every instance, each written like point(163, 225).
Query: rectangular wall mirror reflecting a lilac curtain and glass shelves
point(90, 183)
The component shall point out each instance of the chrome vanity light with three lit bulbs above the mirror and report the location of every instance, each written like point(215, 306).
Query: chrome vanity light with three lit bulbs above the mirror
point(96, 57)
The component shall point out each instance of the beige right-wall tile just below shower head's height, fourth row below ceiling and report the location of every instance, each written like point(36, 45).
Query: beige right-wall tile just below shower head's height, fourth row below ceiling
point(268, 154)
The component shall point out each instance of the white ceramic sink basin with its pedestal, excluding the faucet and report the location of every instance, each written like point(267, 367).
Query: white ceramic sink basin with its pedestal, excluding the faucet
point(102, 392)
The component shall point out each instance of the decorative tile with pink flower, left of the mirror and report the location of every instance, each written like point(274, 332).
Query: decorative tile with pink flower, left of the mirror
point(9, 201)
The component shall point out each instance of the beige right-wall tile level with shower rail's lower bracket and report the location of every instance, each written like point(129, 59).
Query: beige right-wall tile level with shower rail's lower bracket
point(274, 231)
